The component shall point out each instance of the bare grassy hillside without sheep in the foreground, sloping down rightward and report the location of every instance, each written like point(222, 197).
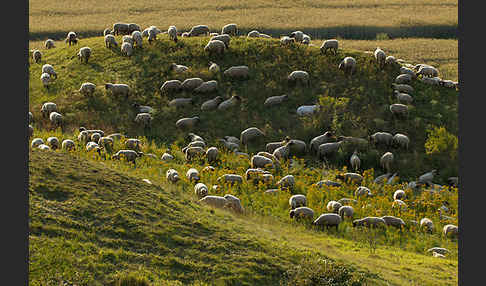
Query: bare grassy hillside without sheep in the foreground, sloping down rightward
point(96, 223)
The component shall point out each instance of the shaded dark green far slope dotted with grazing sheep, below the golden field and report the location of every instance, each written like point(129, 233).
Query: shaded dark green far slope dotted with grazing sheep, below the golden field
point(352, 106)
